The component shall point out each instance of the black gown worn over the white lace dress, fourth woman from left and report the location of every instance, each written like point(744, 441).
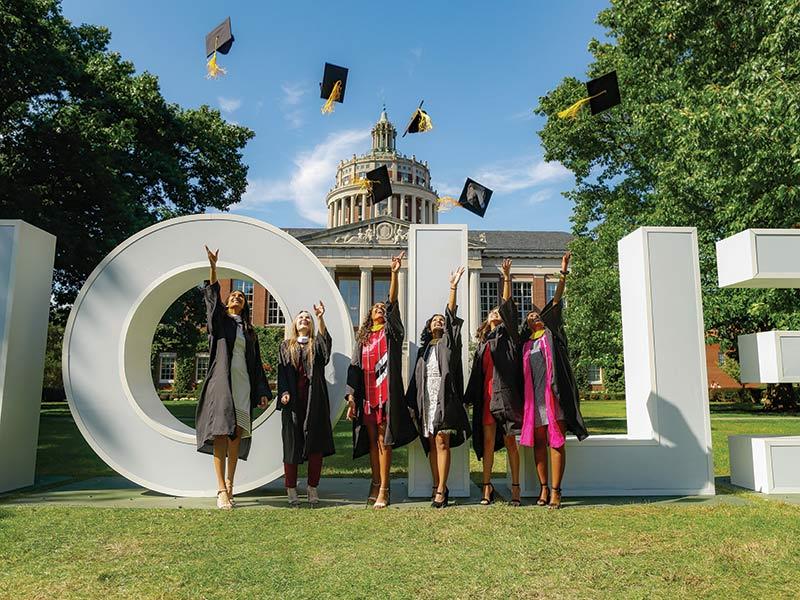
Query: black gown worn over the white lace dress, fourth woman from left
point(450, 414)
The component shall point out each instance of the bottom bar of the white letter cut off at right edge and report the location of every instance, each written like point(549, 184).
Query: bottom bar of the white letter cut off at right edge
point(765, 463)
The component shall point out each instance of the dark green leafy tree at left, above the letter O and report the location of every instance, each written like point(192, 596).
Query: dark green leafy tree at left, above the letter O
point(90, 151)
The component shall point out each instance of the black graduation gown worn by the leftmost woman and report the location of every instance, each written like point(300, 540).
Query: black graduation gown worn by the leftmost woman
point(215, 411)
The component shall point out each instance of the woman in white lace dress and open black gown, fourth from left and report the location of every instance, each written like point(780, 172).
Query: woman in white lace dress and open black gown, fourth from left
point(436, 392)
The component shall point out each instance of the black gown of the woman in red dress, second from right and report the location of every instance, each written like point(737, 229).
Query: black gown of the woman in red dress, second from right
point(506, 404)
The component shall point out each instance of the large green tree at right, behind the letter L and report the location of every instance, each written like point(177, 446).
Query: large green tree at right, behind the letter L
point(706, 136)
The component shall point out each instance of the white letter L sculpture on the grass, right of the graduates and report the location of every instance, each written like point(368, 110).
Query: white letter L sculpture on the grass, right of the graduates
point(667, 449)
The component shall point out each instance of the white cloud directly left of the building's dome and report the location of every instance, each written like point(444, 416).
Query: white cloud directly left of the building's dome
point(313, 175)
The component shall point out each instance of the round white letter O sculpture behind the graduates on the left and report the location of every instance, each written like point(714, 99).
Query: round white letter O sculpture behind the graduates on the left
point(106, 357)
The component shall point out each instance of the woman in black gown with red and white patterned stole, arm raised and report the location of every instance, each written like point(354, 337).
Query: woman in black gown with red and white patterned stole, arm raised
point(375, 392)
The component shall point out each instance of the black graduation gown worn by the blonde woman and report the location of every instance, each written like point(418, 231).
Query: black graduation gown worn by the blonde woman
point(305, 422)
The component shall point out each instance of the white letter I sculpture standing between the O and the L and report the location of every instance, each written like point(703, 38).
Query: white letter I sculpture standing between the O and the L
point(434, 252)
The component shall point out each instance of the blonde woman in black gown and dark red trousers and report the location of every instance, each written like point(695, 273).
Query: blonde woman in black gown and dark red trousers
point(303, 401)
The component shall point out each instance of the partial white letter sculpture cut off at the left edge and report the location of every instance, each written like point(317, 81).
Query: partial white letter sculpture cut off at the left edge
point(26, 275)
